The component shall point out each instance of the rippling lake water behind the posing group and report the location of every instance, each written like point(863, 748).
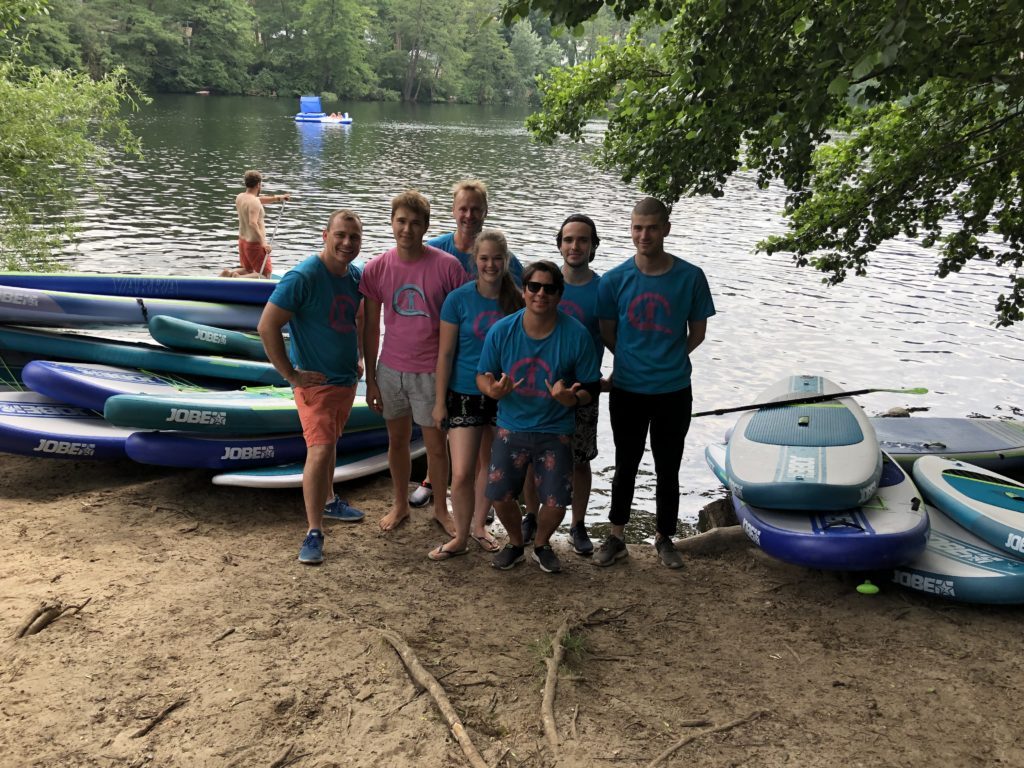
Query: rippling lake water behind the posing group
point(173, 212)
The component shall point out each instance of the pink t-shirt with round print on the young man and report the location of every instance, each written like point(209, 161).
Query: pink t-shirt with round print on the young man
point(411, 295)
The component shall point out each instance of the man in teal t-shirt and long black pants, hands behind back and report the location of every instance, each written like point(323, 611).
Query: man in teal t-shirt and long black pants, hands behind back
point(654, 311)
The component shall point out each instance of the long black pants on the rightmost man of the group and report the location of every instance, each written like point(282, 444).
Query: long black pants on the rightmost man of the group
point(668, 418)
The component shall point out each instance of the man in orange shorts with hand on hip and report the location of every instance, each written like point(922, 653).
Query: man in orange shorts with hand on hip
point(320, 301)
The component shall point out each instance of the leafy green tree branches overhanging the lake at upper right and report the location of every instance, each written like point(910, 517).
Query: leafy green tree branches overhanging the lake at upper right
point(882, 118)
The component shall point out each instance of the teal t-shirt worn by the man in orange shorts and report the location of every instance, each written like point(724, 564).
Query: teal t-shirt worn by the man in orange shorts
point(323, 326)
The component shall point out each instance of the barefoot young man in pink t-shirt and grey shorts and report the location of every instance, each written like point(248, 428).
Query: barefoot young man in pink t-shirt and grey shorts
point(410, 284)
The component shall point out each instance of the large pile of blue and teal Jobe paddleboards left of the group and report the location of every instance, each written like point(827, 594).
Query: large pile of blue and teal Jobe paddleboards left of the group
point(205, 398)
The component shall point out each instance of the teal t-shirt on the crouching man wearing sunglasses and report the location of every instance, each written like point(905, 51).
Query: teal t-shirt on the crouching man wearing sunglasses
point(566, 354)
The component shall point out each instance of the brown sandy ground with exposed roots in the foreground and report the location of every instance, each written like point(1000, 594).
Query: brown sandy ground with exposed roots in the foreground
point(204, 643)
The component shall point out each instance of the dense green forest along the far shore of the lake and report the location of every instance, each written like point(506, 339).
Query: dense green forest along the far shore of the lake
point(411, 51)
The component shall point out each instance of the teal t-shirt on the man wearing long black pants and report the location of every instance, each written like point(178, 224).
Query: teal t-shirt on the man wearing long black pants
point(652, 314)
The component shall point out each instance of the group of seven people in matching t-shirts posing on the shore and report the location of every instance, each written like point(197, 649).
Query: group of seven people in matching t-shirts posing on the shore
point(500, 368)
